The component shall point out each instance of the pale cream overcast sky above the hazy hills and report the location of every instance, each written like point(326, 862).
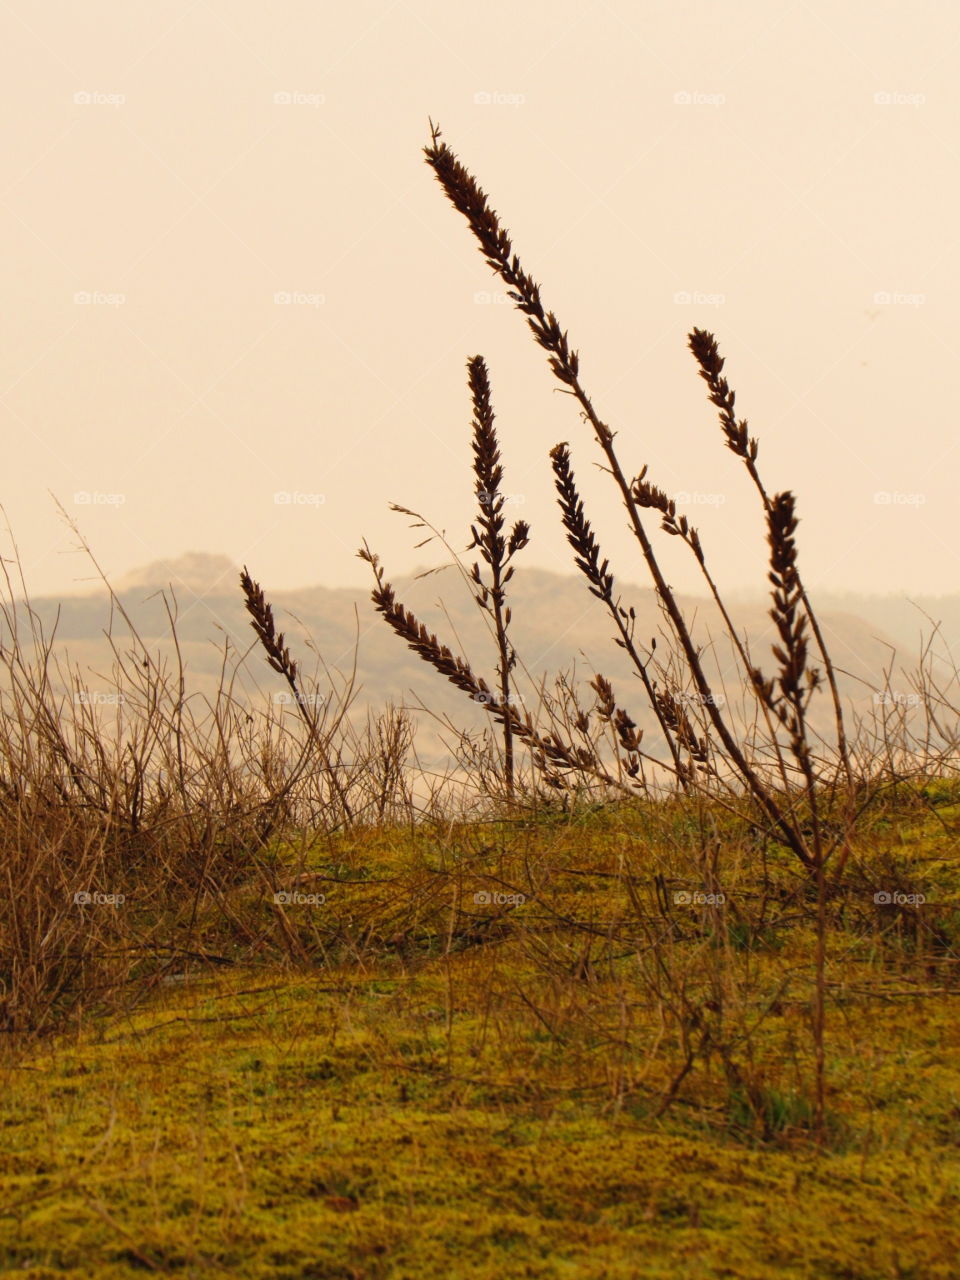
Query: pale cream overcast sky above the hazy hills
point(783, 175)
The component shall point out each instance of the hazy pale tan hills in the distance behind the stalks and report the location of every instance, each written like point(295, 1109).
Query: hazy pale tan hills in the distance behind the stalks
point(557, 627)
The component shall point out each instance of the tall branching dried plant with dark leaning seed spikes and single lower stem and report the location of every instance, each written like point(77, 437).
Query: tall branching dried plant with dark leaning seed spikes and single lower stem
point(790, 812)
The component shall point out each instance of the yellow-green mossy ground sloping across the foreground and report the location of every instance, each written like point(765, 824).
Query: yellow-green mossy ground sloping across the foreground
point(427, 1104)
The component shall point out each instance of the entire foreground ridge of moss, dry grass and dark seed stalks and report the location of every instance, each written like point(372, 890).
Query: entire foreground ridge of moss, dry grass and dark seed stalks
point(625, 1007)
